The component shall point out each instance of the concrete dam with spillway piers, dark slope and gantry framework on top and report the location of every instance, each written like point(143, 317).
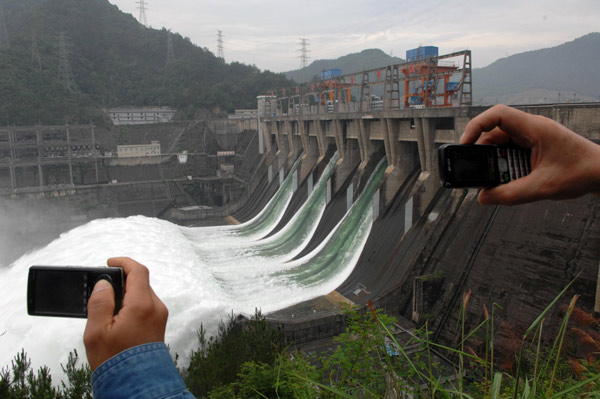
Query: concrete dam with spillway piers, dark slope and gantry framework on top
point(428, 246)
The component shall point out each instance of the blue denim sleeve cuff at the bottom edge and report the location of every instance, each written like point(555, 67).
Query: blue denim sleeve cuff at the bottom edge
point(146, 371)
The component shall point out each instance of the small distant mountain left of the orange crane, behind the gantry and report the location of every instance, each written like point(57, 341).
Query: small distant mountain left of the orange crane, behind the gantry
point(355, 62)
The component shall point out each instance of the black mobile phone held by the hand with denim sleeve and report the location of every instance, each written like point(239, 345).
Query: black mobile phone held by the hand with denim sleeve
point(63, 291)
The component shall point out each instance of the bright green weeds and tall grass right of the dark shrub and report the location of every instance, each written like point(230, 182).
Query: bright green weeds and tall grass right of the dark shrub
point(375, 358)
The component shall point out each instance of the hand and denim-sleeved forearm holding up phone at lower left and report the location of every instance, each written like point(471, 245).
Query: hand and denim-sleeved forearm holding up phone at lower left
point(126, 352)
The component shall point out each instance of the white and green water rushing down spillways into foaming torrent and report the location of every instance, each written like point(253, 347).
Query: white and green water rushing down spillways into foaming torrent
point(201, 274)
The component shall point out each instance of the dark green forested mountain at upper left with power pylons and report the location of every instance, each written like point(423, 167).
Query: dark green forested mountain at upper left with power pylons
point(115, 61)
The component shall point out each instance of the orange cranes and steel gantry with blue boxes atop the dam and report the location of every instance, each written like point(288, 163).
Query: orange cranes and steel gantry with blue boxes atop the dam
point(424, 80)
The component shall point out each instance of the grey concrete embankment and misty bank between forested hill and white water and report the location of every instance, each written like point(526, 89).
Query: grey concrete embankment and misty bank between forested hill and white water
point(55, 178)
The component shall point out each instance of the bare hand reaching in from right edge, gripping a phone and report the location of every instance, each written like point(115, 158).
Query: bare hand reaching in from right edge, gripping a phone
point(563, 164)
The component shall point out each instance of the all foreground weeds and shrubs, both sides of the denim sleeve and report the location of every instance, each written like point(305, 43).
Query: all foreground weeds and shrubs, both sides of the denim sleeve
point(373, 358)
